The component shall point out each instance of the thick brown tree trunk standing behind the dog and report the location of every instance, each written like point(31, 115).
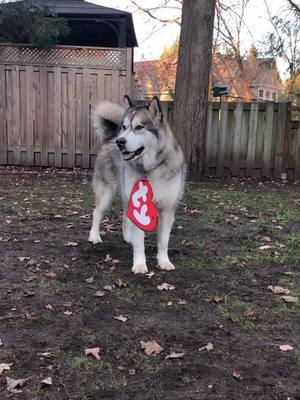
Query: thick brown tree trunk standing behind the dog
point(192, 81)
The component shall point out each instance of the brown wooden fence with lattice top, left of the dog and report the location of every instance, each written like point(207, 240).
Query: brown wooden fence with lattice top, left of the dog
point(46, 99)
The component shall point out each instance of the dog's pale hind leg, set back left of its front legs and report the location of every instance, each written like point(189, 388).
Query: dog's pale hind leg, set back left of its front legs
point(103, 200)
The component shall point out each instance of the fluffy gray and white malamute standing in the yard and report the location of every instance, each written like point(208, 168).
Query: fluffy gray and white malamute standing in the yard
point(137, 142)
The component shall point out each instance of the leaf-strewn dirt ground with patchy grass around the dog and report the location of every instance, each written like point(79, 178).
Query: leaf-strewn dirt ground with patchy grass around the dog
point(231, 240)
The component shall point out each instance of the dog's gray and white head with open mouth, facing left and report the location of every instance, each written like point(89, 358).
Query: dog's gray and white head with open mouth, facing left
point(140, 137)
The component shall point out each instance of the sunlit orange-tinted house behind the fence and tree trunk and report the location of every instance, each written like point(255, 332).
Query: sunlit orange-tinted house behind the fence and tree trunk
point(253, 79)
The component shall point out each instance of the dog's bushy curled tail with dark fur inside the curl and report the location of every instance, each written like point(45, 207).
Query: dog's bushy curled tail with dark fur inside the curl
point(107, 119)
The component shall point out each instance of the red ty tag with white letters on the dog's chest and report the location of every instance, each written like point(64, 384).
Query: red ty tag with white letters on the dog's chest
point(141, 209)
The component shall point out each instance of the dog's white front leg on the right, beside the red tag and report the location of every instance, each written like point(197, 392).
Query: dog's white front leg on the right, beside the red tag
point(166, 219)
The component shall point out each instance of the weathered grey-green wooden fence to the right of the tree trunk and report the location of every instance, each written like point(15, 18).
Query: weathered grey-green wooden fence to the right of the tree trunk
point(250, 140)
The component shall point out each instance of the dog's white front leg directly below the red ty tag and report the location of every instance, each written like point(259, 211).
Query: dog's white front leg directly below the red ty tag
point(137, 237)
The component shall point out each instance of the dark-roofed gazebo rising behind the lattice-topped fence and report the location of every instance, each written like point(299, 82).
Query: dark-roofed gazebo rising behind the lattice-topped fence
point(84, 13)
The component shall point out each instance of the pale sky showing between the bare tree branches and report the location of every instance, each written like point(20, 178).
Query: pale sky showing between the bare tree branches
point(153, 36)
